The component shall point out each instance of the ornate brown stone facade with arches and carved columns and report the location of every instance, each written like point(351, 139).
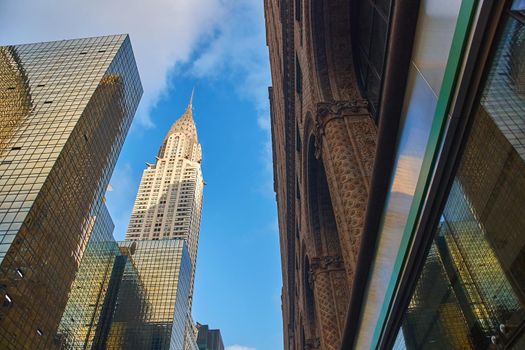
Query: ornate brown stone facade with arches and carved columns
point(324, 141)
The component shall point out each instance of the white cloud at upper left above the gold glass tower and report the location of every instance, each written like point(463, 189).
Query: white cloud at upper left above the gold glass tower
point(163, 33)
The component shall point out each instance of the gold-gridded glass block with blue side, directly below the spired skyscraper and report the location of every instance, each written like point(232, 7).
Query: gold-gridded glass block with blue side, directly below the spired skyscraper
point(152, 300)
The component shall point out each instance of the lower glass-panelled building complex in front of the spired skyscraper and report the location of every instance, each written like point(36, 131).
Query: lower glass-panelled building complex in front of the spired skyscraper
point(128, 295)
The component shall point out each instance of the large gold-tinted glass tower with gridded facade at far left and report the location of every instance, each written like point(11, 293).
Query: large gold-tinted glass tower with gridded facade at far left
point(65, 108)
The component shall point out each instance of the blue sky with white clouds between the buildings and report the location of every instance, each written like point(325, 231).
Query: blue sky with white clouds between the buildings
point(218, 47)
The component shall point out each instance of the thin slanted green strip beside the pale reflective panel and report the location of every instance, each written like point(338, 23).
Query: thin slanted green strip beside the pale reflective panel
point(430, 158)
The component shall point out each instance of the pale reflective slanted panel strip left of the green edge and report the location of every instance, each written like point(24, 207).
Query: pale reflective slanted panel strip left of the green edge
point(432, 46)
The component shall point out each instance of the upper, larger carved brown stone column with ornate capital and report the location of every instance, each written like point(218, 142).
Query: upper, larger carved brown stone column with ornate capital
point(346, 142)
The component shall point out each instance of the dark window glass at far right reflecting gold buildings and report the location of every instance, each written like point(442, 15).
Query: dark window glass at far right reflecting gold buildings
point(471, 292)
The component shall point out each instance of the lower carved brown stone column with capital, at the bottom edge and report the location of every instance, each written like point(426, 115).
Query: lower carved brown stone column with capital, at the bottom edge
point(328, 277)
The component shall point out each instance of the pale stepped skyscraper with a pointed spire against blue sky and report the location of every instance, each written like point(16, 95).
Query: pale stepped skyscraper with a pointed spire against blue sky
point(169, 200)
